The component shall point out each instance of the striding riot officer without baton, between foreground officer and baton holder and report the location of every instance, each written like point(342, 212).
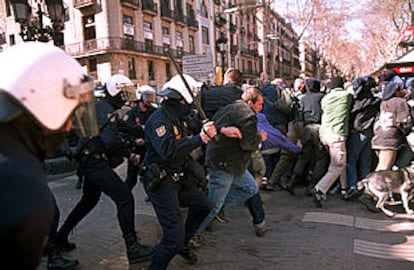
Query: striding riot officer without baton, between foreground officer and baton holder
point(98, 157)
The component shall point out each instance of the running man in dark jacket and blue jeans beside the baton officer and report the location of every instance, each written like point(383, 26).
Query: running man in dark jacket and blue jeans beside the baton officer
point(227, 159)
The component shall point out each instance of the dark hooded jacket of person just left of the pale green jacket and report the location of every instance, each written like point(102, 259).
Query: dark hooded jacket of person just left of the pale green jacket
point(311, 102)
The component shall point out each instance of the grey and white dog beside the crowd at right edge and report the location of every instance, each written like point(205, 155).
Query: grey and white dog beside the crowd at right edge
point(381, 184)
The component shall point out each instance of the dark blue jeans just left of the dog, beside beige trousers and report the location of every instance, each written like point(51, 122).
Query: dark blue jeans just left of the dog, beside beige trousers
point(359, 155)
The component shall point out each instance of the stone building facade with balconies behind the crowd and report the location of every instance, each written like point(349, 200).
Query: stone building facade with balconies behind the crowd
point(138, 38)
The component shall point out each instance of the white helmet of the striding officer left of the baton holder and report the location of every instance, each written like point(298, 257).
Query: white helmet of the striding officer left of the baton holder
point(119, 83)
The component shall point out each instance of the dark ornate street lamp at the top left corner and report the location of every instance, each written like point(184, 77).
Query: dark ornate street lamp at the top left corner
point(32, 28)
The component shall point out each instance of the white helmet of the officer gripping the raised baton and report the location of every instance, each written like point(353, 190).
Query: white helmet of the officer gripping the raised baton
point(176, 83)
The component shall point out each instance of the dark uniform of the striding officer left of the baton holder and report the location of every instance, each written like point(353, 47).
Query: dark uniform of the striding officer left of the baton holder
point(99, 156)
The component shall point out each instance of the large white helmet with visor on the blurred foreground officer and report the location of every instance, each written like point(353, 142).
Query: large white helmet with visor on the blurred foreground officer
point(48, 84)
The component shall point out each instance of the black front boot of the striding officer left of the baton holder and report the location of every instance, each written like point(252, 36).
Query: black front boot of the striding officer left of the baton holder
point(135, 251)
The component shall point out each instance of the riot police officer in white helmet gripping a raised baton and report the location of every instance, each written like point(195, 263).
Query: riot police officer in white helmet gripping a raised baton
point(168, 148)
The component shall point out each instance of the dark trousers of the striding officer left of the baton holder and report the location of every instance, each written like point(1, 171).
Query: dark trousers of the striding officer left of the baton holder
point(99, 177)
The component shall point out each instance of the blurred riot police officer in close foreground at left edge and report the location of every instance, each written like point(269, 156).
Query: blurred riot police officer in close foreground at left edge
point(38, 94)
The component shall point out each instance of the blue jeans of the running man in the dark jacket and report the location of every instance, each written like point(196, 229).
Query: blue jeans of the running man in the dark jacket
point(230, 189)
